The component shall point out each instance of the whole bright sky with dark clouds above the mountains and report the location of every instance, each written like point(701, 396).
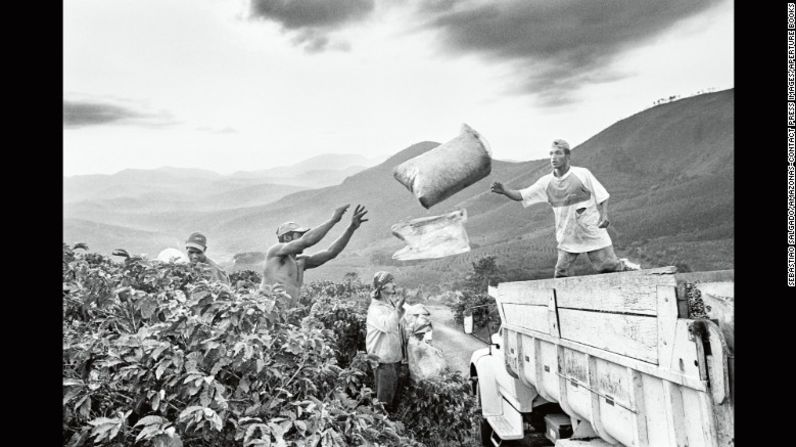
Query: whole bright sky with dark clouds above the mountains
point(232, 85)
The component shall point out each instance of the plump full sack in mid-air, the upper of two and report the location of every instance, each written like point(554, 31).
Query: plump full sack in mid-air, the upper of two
point(447, 169)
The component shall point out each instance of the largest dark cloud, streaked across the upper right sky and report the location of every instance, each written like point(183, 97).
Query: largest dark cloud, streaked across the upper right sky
point(558, 45)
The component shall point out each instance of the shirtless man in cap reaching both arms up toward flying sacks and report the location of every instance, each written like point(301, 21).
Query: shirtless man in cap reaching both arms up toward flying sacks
point(284, 262)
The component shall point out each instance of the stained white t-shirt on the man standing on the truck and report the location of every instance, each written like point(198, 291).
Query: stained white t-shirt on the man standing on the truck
point(574, 197)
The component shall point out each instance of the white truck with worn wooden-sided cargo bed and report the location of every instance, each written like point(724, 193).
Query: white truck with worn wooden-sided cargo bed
point(635, 359)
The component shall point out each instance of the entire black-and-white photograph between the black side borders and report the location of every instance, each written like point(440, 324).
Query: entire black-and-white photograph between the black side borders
point(312, 223)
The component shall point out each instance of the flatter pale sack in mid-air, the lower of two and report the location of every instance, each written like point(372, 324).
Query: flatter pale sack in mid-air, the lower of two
point(432, 237)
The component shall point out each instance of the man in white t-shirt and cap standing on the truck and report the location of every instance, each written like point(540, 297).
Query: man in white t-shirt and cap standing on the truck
point(580, 209)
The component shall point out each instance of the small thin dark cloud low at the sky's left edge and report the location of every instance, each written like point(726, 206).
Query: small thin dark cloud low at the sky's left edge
point(81, 113)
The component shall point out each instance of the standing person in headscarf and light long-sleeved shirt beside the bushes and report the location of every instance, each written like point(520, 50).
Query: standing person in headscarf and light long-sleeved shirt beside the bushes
point(384, 338)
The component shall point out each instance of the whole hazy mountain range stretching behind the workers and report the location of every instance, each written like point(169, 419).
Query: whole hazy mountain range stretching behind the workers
point(669, 170)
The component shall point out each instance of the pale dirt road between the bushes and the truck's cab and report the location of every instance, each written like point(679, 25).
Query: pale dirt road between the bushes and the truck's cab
point(456, 346)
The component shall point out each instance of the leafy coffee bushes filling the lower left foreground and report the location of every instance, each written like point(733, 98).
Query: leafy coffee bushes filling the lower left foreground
point(157, 354)
